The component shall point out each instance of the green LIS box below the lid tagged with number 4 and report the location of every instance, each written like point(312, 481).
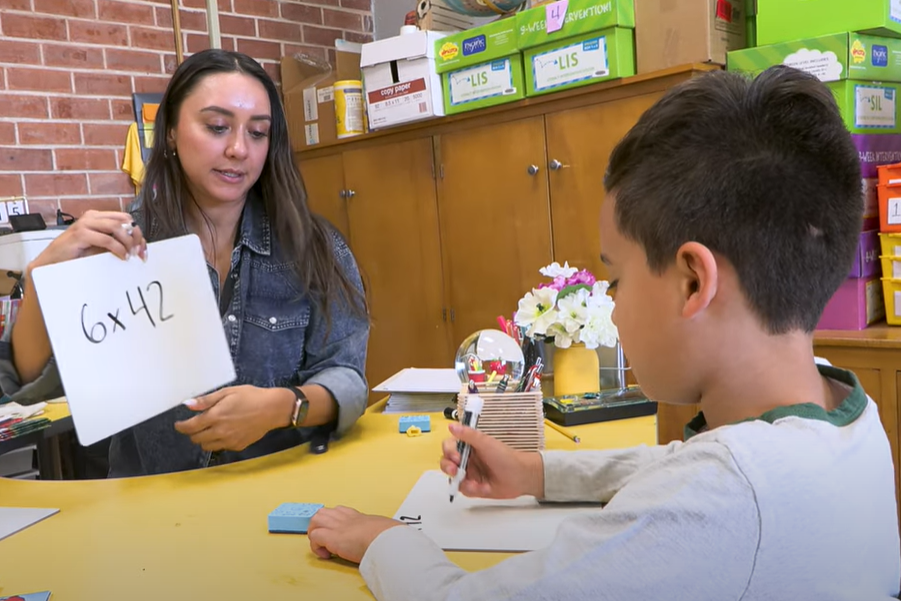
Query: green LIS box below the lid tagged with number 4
point(578, 61)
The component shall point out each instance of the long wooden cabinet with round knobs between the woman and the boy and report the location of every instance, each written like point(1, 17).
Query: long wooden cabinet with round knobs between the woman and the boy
point(451, 219)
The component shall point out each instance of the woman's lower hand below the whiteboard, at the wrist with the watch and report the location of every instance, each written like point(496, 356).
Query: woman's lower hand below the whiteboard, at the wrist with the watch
point(234, 418)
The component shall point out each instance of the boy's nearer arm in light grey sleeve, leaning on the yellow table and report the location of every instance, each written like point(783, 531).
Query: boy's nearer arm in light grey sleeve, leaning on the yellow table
point(688, 523)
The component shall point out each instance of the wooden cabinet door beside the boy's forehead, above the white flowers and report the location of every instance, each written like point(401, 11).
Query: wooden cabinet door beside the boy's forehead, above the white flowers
point(579, 143)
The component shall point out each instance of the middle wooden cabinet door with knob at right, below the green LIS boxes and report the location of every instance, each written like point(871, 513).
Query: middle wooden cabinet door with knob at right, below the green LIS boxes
point(495, 220)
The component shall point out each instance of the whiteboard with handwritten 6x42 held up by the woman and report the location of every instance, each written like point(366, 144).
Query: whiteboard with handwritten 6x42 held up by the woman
point(133, 339)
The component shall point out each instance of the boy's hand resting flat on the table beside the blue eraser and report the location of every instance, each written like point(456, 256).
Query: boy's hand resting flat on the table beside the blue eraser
point(345, 532)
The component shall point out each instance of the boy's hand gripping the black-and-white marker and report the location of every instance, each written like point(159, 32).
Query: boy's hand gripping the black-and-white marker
point(494, 471)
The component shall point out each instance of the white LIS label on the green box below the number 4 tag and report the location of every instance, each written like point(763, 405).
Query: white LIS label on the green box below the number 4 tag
point(576, 62)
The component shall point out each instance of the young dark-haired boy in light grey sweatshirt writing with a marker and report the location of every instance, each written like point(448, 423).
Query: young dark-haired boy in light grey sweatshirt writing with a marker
point(732, 213)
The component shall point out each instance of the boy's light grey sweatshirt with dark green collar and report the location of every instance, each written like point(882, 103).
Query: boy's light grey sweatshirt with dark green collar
point(798, 504)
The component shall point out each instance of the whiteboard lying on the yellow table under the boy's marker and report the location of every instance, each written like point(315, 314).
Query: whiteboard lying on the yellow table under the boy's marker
point(482, 524)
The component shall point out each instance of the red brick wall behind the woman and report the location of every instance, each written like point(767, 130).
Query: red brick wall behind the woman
point(68, 69)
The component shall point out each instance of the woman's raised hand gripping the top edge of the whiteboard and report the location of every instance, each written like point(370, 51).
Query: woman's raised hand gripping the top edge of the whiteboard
point(93, 233)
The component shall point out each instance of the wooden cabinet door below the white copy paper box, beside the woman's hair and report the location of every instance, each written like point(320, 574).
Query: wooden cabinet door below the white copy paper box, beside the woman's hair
point(393, 219)
